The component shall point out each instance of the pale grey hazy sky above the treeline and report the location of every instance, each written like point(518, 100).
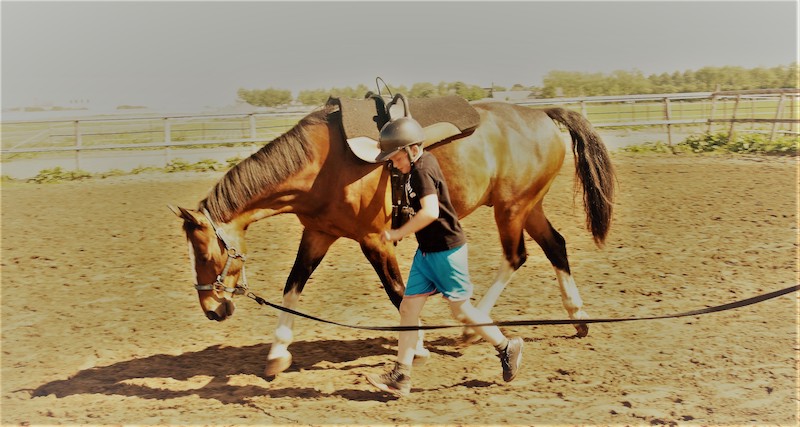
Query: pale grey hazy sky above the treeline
point(193, 54)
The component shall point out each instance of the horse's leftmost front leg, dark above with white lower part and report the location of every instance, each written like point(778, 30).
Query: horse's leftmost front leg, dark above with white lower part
point(313, 247)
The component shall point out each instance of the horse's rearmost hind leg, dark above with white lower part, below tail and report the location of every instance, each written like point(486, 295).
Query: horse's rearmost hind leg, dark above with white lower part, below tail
point(555, 248)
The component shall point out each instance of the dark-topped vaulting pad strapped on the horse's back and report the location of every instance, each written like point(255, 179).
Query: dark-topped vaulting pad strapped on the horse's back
point(443, 119)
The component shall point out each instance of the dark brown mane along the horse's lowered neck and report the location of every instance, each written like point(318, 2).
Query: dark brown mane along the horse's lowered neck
point(264, 170)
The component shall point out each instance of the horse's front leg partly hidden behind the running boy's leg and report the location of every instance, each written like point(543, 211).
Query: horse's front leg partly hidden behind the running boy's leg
point(383, 260)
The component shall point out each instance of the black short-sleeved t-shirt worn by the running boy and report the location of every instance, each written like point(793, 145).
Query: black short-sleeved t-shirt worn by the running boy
point(444, 233)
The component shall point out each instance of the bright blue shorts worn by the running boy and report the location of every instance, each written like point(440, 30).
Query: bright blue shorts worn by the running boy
point(446, 272)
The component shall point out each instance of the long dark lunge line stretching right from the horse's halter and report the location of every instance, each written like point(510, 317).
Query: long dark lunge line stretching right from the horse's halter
point(715, 309)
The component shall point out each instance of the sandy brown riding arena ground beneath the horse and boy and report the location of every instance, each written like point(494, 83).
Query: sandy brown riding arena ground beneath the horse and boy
point(100, 324)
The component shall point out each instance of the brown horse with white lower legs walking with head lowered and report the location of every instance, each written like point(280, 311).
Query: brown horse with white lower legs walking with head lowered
point(508, 163)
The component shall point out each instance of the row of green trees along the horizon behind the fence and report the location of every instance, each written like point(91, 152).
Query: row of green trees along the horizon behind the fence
point(562, 83)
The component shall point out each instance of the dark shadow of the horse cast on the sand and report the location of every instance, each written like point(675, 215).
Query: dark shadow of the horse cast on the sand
point(220, 363)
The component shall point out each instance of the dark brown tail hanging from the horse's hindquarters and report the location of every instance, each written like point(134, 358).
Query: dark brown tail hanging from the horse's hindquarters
point(592, 168)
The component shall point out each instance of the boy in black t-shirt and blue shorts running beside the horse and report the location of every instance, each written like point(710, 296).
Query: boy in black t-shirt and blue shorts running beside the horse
point(439, 266)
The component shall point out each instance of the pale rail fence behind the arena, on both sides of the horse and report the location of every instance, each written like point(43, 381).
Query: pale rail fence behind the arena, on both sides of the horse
point(769, 111)
